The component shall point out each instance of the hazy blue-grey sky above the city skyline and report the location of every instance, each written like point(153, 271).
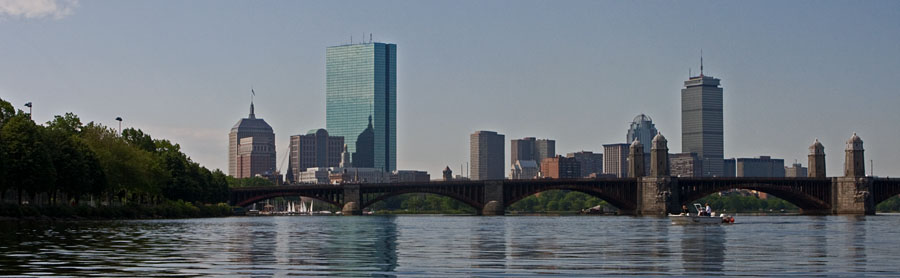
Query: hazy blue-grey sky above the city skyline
point(573, 71)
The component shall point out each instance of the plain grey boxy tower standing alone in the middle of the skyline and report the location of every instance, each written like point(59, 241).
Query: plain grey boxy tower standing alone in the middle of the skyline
point(486, 155)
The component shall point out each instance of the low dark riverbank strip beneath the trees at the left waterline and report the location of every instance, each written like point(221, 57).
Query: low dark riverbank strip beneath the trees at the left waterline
point(170, 209)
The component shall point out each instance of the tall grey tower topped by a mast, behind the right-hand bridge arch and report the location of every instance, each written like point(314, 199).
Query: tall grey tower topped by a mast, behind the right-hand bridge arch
point(701, 122)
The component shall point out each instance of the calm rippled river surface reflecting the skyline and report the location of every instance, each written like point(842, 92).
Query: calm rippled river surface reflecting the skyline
point(442, 246)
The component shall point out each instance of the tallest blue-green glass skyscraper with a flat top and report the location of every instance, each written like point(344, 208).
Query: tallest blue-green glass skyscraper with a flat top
point(361, 91)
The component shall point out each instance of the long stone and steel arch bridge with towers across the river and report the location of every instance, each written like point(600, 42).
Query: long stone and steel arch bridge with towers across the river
point(654, 193)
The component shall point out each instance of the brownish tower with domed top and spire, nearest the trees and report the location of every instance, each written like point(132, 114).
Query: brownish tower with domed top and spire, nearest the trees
point(247, 158)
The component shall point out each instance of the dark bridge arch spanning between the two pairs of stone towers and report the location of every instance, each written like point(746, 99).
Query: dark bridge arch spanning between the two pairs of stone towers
point(809, 198)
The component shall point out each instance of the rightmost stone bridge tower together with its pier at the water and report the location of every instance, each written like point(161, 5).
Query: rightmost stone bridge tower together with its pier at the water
point(852, 192)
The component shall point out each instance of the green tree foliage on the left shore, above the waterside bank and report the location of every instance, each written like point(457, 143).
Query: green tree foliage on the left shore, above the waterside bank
point(74, 160)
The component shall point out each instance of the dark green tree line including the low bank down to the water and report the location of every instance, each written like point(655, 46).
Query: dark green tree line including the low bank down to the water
point(65, 168)
